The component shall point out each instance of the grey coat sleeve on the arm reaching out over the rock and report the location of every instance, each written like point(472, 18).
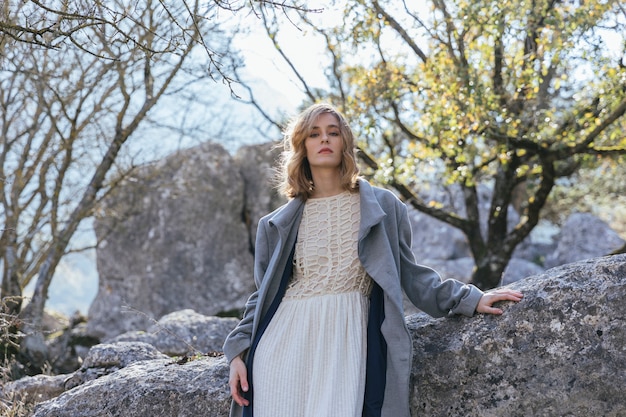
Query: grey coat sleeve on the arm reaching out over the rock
point(423, 285)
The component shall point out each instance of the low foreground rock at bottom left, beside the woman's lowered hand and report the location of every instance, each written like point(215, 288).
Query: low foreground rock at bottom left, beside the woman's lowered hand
point(149, 388)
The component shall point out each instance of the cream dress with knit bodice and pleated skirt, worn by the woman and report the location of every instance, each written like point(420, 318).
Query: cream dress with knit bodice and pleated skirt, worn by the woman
point(310, 362)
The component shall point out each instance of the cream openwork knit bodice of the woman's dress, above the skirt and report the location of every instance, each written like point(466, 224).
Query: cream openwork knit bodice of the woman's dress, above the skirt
point(326, 259)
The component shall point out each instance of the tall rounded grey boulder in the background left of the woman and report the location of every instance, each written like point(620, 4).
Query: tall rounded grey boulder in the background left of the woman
point(172, 237)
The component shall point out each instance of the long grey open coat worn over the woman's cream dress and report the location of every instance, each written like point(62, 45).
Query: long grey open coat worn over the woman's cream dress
point(385, 251)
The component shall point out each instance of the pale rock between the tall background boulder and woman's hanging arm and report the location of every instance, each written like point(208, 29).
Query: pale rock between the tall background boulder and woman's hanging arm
point(184, 332)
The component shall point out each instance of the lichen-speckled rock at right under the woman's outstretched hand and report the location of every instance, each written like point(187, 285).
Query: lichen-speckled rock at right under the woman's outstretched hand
point(559, 352)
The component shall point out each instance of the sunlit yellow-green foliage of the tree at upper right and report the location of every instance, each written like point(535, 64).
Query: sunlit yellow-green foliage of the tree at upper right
point(501, 79)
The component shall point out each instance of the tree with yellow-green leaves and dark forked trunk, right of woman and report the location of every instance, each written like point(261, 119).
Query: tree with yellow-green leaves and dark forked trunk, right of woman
point(514, 94)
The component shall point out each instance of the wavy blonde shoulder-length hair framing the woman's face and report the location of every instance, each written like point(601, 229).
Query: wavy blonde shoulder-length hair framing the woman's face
point(296, 179)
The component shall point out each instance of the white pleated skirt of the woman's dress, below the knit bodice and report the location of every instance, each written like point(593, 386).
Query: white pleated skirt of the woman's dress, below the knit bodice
point(311, 360)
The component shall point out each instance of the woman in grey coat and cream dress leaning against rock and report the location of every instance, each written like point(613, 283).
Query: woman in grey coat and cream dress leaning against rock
point(324, 334)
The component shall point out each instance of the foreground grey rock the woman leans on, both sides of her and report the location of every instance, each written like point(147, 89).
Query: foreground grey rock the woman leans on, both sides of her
point(558, 352)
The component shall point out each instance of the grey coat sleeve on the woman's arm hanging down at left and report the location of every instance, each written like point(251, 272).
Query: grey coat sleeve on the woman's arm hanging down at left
point(240, 339)
